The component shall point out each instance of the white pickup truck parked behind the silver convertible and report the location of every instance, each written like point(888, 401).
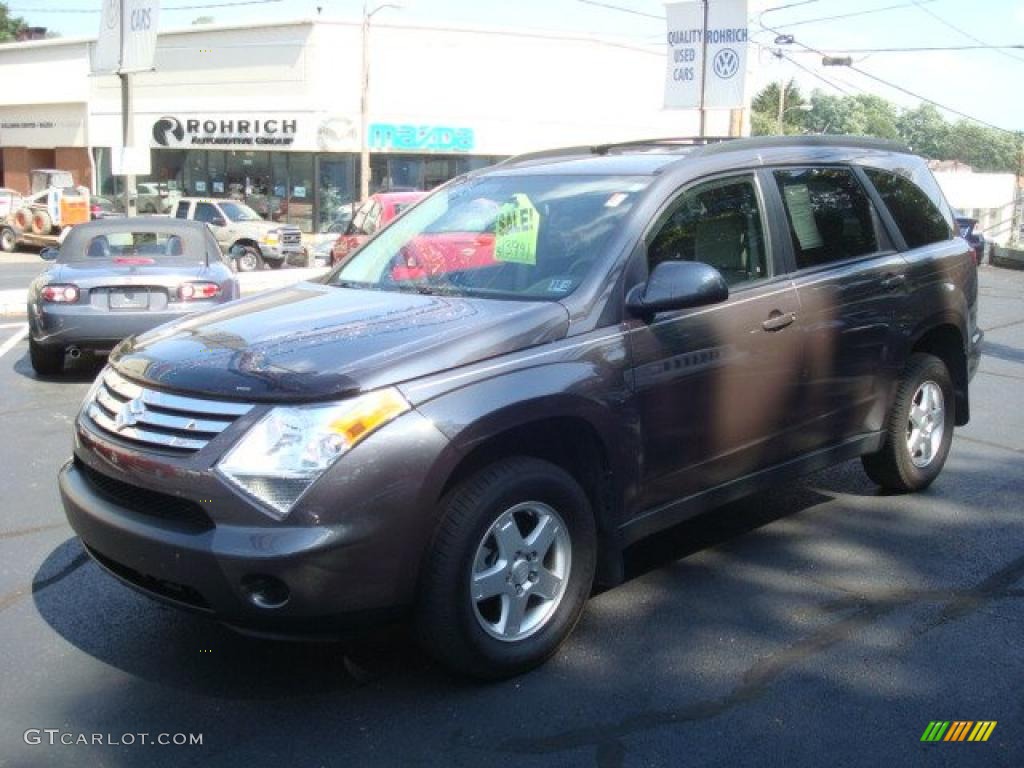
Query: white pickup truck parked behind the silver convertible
point(244, 236)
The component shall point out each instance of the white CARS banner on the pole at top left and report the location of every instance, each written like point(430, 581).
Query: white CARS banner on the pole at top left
point(127, 39)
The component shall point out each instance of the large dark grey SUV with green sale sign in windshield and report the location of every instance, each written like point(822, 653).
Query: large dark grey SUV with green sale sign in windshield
point(528, 372)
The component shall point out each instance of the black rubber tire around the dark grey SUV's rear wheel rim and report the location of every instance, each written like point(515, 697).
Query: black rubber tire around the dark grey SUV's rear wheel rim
point(893, 467)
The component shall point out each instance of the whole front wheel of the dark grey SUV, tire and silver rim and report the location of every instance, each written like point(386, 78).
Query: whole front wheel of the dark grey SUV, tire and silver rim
point(509, 572)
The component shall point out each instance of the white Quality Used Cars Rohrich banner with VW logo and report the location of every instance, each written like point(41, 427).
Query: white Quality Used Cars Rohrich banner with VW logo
point(716, 55)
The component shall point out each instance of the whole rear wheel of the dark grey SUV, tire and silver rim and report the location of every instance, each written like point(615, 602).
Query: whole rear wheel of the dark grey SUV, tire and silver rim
point(921, 429)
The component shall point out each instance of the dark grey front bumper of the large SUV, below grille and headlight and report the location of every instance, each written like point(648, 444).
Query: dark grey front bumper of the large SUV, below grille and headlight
point(342, 558)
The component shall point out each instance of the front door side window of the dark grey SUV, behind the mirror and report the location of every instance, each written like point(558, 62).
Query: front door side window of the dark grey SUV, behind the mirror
point(718, 224)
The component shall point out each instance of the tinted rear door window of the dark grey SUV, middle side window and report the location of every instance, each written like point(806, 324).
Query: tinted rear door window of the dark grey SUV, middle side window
point(831, 218)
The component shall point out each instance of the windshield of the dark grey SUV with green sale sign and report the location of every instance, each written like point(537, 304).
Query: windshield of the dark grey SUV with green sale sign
point(502, 237)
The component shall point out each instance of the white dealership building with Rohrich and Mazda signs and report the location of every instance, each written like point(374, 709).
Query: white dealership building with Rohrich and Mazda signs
point(272, 113)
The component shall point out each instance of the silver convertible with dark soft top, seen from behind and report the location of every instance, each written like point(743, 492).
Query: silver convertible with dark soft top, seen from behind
point(115, 278)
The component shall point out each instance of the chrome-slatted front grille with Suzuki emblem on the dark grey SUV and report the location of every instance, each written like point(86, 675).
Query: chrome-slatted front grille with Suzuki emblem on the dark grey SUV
point(136, 415)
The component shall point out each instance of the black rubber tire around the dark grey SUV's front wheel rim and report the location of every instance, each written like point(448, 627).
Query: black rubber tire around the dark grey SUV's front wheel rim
point(446, 614)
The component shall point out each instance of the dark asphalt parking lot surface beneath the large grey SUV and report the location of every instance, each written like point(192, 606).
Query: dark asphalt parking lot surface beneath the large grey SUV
point(821, 624)
